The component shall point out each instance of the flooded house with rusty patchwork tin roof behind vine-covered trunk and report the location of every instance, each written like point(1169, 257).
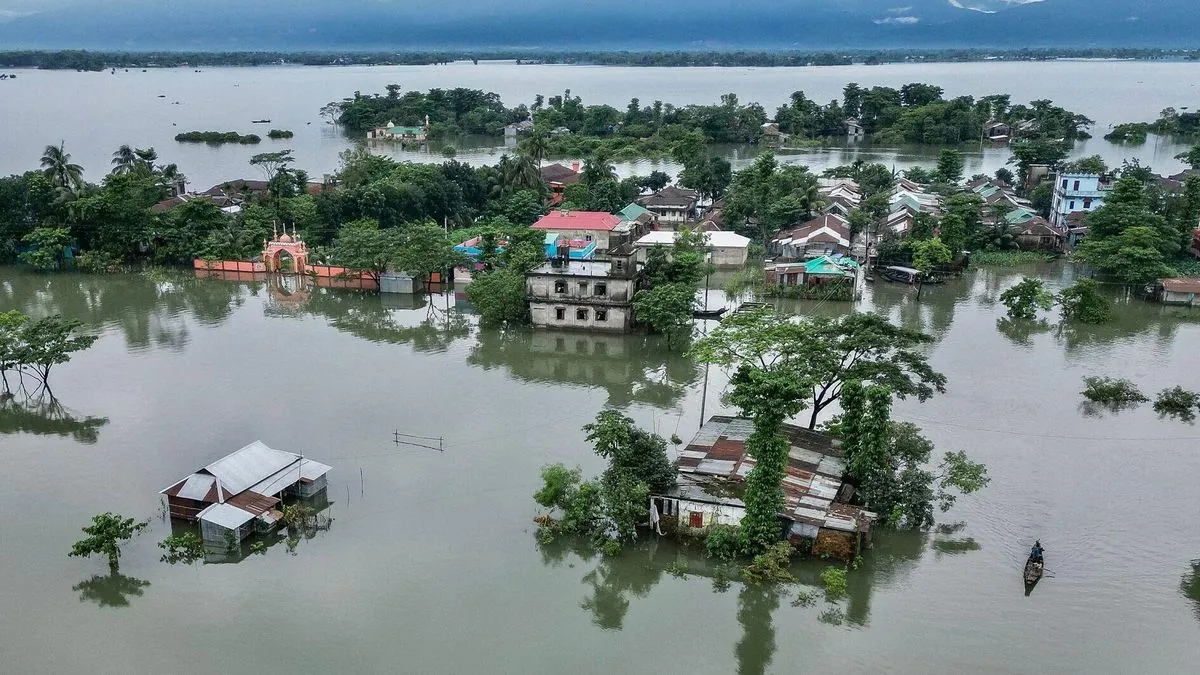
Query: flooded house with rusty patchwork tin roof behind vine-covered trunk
point(713, 469)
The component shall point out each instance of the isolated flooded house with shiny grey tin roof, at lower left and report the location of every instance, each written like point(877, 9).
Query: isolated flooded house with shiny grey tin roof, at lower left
point(241, 494)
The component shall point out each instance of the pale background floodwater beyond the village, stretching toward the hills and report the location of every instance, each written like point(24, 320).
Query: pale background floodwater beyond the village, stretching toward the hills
point(94, 114)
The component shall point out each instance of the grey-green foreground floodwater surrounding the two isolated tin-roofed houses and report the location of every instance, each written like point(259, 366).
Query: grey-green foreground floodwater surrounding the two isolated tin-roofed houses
point(430, 564)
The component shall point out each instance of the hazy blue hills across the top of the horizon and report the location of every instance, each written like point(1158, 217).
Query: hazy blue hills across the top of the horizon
point(596, 25)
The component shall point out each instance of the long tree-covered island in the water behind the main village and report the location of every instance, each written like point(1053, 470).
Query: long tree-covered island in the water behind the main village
point(565, 126)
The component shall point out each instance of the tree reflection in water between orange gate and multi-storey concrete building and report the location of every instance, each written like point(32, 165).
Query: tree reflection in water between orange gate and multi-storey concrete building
point(391, 319)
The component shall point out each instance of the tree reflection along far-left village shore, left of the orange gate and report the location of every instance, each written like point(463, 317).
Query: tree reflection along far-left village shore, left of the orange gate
point(148, 308)
